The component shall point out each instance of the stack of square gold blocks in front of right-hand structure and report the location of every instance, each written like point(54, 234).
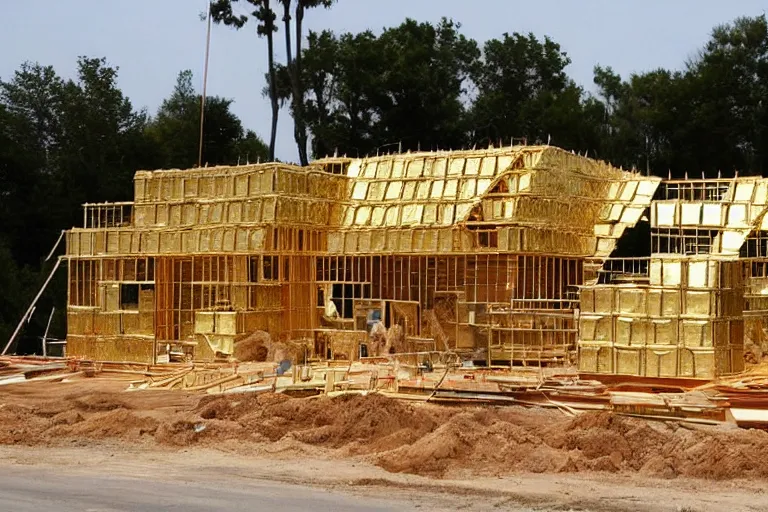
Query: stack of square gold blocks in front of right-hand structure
point(686, 322)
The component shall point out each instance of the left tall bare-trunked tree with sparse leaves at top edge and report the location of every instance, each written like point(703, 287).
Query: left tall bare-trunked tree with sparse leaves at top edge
point(222, 12)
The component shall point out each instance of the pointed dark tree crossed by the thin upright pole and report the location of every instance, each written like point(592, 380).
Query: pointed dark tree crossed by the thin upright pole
point(175, 130)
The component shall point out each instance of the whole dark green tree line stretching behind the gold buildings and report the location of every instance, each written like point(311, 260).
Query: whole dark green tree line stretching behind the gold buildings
point(414, 86)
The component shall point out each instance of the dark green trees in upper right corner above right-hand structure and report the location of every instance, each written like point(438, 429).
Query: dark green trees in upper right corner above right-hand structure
point(709, 119)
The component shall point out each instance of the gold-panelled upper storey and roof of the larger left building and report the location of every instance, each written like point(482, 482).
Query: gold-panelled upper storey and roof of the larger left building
point(541, 199)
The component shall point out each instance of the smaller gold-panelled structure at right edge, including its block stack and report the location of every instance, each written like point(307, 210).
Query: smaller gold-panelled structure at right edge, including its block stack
point(703, 280)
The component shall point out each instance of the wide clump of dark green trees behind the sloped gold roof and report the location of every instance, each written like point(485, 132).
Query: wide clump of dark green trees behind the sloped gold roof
point(427, 86)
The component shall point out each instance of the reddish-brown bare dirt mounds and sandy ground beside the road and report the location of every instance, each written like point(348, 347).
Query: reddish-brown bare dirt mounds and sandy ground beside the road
point(473, 458)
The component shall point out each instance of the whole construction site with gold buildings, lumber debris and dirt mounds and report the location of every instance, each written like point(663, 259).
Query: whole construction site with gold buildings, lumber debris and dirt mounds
point(554, 301)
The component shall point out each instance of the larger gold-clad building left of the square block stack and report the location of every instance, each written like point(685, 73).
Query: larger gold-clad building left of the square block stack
point(505, 230)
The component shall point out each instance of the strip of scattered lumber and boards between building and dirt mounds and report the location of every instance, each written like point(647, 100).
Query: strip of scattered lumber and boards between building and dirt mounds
point(430, 377)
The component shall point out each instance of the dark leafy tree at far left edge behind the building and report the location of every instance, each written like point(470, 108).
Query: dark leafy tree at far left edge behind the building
point(73, 142)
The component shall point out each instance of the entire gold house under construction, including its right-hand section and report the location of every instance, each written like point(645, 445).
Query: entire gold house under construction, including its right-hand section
point(505, 256)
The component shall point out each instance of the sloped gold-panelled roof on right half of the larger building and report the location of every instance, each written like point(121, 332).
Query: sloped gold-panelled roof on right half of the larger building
point(442, 189)
